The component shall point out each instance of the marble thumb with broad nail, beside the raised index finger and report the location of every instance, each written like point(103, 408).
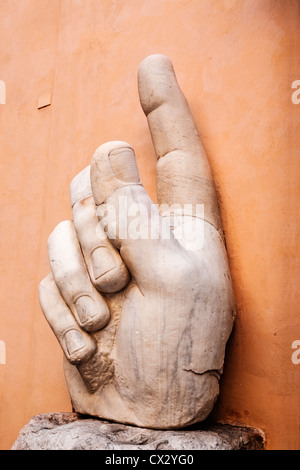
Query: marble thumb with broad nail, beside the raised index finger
point(134, 224)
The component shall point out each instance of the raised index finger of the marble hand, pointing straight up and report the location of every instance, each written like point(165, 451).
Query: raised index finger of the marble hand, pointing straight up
point(183, 171)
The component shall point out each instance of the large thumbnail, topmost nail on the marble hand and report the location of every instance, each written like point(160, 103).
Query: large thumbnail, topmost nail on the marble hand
point(123, 164)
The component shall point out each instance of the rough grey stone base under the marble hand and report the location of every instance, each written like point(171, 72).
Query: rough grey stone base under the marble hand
point(70, 431)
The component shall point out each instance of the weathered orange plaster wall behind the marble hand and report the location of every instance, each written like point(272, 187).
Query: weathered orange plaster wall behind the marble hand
point(236, 61)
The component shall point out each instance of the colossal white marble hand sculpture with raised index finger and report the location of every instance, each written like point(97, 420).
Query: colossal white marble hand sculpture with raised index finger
point(140, 296)
